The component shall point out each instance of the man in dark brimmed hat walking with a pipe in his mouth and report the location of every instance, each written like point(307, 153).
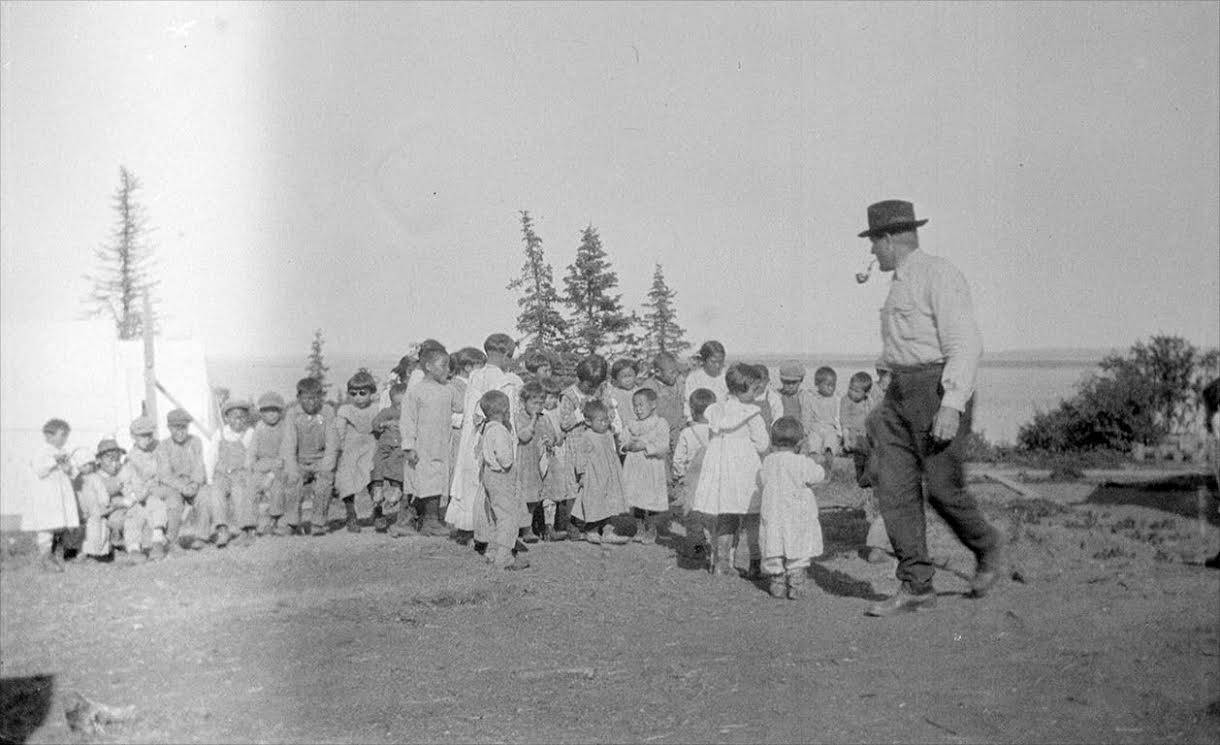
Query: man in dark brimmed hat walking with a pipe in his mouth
point(931, 346)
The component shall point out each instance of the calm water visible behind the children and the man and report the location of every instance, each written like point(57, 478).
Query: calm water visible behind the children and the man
point(1010, 392)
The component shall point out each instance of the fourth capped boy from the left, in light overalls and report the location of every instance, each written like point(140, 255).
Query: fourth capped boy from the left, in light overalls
point(230, 490)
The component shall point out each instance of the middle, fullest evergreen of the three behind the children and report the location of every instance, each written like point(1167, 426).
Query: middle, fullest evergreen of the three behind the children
point(597, 318)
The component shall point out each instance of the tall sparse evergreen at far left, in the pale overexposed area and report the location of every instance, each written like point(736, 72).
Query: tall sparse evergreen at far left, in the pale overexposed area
point(125, 264)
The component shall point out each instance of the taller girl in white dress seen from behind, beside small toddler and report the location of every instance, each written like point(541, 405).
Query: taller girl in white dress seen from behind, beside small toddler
point(728, 492)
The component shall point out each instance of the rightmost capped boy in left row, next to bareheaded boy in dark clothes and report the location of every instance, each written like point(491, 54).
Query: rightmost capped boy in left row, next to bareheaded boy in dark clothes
point(265, 463)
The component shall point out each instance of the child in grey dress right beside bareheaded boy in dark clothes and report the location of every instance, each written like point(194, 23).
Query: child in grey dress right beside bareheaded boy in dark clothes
point(356, 444)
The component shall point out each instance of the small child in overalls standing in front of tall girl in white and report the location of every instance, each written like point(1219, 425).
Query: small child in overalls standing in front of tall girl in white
point(502, 505)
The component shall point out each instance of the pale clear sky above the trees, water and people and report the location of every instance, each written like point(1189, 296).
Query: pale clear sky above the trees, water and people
point(359, 168)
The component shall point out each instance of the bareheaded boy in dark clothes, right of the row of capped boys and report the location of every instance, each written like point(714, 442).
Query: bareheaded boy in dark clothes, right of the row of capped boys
point(309, 449)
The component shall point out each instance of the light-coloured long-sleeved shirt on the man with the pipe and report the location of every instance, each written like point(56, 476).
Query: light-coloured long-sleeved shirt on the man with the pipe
point(929, 318)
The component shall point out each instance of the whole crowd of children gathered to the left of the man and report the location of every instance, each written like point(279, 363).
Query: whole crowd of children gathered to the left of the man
point(507, 460)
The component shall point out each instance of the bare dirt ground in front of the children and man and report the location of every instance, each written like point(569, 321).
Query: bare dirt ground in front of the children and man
point(1112, 637)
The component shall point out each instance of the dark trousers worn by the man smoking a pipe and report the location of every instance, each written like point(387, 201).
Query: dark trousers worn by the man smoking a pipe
point(911, 465)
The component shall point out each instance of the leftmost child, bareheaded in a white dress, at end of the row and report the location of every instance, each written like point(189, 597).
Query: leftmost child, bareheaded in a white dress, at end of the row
point(53, 503)
